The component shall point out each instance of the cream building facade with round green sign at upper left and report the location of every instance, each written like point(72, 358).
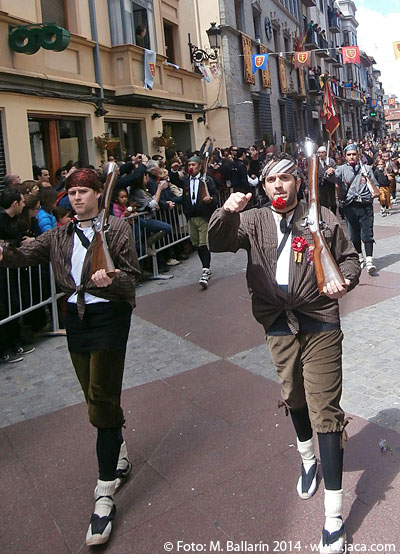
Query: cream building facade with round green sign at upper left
point(88, 100)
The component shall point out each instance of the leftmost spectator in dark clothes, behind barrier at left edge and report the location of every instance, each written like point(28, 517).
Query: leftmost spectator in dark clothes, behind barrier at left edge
point(11, 206)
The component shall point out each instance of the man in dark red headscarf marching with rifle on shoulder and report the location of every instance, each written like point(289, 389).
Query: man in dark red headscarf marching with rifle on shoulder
point(98, 320)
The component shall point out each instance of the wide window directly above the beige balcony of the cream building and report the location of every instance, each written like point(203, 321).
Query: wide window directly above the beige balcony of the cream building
point(127, 17)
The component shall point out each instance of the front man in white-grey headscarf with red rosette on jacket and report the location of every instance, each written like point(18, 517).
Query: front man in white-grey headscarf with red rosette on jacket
point(302, 327)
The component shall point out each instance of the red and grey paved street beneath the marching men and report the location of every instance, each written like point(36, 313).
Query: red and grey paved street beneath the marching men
point(214, 460)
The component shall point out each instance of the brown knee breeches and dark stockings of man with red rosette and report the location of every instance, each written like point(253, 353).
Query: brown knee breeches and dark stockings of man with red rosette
point(310, 369)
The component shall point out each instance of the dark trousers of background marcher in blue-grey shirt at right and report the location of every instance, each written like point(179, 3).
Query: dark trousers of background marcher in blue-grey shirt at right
point(360, 223)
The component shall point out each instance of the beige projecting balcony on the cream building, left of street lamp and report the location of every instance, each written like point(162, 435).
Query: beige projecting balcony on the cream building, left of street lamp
point(125, 73)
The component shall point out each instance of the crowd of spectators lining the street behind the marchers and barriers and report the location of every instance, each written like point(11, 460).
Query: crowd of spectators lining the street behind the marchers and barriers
point(145, 196)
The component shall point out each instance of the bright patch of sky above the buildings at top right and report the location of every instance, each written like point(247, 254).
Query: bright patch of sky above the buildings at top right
point(379, 27)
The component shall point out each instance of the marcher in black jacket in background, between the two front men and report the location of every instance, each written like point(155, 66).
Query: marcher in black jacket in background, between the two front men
point(198, 206)
